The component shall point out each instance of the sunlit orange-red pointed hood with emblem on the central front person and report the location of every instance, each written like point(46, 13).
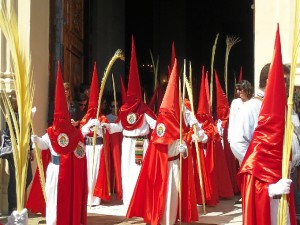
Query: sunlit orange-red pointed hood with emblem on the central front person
point(167, 123)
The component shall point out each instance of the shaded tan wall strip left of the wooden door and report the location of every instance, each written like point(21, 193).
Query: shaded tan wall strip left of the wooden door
point(39, 45)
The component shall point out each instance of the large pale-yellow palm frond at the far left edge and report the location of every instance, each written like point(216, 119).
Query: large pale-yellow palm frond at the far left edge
point(22, 75)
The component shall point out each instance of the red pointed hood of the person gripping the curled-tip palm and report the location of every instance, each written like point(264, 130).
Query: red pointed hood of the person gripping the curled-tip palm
point(93, 99)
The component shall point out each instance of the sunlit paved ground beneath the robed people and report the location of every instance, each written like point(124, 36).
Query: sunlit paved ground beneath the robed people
point(113, 213)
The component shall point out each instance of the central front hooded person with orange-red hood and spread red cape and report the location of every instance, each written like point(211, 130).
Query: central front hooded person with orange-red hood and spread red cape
point(163, 200)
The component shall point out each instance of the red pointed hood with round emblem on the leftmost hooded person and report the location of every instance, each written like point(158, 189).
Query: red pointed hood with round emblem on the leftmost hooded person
point(63, 135)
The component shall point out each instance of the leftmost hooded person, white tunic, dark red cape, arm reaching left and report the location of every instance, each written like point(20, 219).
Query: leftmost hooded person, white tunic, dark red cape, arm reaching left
point(66, 176)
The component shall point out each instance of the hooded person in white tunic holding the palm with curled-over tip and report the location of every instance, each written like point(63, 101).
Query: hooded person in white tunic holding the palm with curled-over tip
point(98, 158)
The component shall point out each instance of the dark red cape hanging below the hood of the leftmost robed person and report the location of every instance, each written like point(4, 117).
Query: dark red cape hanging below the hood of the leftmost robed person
point(72, 190)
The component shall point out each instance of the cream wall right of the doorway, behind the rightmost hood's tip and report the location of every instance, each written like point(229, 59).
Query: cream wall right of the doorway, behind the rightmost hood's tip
point(267, 14)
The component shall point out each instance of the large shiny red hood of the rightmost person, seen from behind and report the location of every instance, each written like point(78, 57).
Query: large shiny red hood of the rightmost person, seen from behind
point(267, 141)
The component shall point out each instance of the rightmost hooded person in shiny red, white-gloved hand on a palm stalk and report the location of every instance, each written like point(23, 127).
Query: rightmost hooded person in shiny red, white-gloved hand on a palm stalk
point(260, 176)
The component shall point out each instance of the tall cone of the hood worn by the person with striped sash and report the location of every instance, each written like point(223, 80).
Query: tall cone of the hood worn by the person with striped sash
point(134, 87)
